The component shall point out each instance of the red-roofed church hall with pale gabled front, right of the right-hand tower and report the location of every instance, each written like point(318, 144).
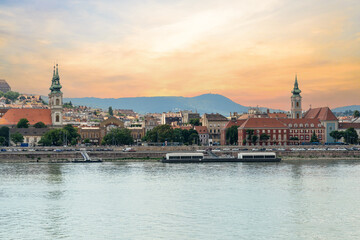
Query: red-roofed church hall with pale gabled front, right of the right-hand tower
point(327, 119)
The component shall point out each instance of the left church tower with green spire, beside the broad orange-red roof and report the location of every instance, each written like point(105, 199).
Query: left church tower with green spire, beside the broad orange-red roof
point(56, 99)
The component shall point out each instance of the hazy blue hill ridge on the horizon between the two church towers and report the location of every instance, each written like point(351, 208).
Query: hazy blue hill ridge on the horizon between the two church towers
point(206, 103)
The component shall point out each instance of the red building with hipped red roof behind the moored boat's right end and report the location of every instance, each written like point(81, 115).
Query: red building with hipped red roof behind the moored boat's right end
point(268, 131)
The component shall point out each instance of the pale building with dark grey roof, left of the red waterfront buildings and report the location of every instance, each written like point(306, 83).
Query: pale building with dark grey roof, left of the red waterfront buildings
point(214, 123)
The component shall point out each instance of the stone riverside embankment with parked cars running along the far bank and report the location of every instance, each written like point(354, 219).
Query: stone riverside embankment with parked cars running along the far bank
point(141, 153)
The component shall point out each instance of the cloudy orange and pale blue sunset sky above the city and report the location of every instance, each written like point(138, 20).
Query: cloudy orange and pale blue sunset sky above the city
point(248, 51)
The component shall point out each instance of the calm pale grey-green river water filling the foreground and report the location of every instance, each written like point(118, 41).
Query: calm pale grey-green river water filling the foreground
point(137, 200)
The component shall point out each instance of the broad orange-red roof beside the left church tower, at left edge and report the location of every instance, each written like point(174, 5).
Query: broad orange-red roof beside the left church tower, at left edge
point(12, 116)
